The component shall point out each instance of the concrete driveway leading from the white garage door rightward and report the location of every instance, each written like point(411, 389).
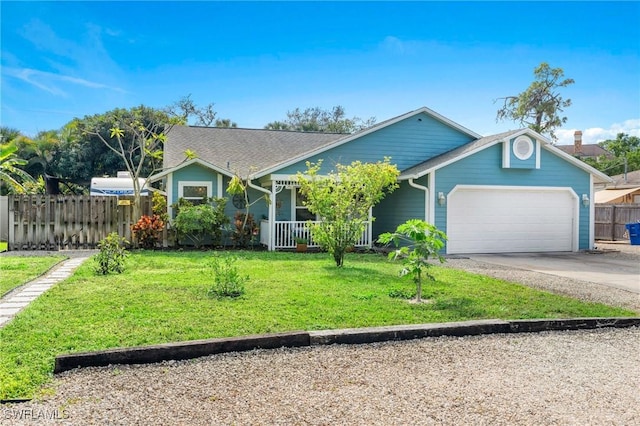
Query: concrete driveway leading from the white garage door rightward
point(613, 269)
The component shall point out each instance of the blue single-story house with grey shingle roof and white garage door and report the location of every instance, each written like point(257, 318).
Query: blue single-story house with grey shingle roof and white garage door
point(510, 192)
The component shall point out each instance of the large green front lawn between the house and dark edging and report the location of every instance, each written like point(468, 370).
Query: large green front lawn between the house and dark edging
point(162, 297)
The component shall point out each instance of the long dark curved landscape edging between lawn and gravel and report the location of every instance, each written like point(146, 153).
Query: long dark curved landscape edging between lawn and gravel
point(200, 348)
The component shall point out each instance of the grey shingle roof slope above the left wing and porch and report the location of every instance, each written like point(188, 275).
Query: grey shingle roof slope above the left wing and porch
point(241, 150)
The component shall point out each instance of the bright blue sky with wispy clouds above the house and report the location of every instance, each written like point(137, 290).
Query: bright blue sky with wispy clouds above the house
point(256, 61)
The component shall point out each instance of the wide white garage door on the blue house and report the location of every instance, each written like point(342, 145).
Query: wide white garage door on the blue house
point(510, 219)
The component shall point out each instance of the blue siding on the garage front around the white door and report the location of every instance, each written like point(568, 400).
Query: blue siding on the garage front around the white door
point(484, 168)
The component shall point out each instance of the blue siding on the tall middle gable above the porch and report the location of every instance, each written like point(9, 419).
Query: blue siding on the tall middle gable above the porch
point(407, 142)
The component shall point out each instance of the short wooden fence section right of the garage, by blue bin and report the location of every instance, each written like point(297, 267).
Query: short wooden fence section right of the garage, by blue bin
point(610, 220)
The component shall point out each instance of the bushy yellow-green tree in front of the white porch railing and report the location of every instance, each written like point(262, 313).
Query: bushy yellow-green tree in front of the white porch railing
point(343, 199)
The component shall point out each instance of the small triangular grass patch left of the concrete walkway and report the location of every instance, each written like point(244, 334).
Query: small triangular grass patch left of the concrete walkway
point(18, 270)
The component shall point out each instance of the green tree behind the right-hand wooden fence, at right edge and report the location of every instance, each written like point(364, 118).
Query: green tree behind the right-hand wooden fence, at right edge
point(626, 152)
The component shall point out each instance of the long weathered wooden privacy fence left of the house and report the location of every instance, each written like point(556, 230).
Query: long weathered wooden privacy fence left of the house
point(56, 222)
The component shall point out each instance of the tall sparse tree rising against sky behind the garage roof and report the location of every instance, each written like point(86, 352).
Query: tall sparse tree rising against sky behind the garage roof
point(540, 105)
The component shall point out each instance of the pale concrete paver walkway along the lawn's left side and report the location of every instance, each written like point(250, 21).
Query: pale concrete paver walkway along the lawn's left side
point(18, 300)
